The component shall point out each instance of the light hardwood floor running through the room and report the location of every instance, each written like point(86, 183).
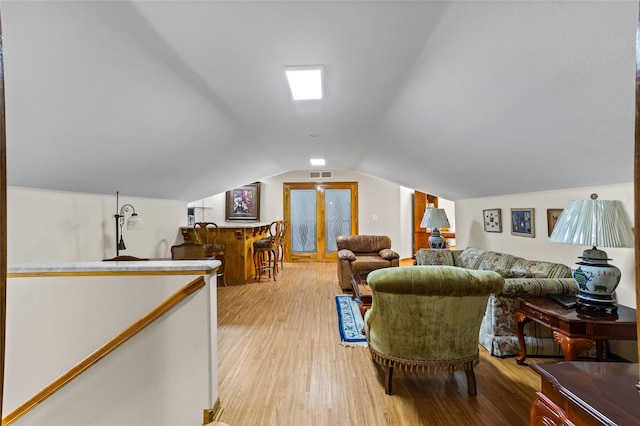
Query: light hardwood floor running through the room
point(281, 363)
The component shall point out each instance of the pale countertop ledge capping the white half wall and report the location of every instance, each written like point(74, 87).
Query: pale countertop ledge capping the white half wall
point(117, 266)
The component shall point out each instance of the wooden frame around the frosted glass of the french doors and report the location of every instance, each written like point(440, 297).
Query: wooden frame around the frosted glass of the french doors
point(319, 187)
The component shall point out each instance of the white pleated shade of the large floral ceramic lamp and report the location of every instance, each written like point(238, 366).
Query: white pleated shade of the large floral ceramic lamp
point(596, 223)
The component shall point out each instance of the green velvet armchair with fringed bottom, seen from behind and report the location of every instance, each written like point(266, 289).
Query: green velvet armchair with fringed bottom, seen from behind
point(427, 318)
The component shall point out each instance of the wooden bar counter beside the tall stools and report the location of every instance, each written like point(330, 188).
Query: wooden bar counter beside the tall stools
point(238, 239)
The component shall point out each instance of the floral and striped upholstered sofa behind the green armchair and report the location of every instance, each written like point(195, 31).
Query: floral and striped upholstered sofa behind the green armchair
point(523, 278)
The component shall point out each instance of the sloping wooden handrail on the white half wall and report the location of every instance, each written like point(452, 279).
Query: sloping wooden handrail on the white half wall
point(105, 350)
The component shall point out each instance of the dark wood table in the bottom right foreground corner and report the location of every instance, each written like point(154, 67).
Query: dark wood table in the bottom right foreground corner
point(586, 393)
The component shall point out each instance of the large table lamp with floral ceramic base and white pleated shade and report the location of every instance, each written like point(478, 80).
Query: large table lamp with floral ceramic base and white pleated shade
point(594, 222)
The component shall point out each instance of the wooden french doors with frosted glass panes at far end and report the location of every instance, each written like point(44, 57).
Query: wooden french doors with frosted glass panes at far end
point(317, 213)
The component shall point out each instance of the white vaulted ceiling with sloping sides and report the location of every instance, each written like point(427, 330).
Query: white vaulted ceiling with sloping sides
point(183, 100)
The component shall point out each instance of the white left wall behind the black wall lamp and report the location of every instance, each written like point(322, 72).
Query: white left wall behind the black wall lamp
point(56, 226)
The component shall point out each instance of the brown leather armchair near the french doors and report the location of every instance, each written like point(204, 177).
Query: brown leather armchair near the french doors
point(363, 253)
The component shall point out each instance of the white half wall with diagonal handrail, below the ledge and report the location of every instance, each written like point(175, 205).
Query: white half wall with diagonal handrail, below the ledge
point(164, 375)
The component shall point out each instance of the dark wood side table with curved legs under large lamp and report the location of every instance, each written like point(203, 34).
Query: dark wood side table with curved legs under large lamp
point(575, 329)
